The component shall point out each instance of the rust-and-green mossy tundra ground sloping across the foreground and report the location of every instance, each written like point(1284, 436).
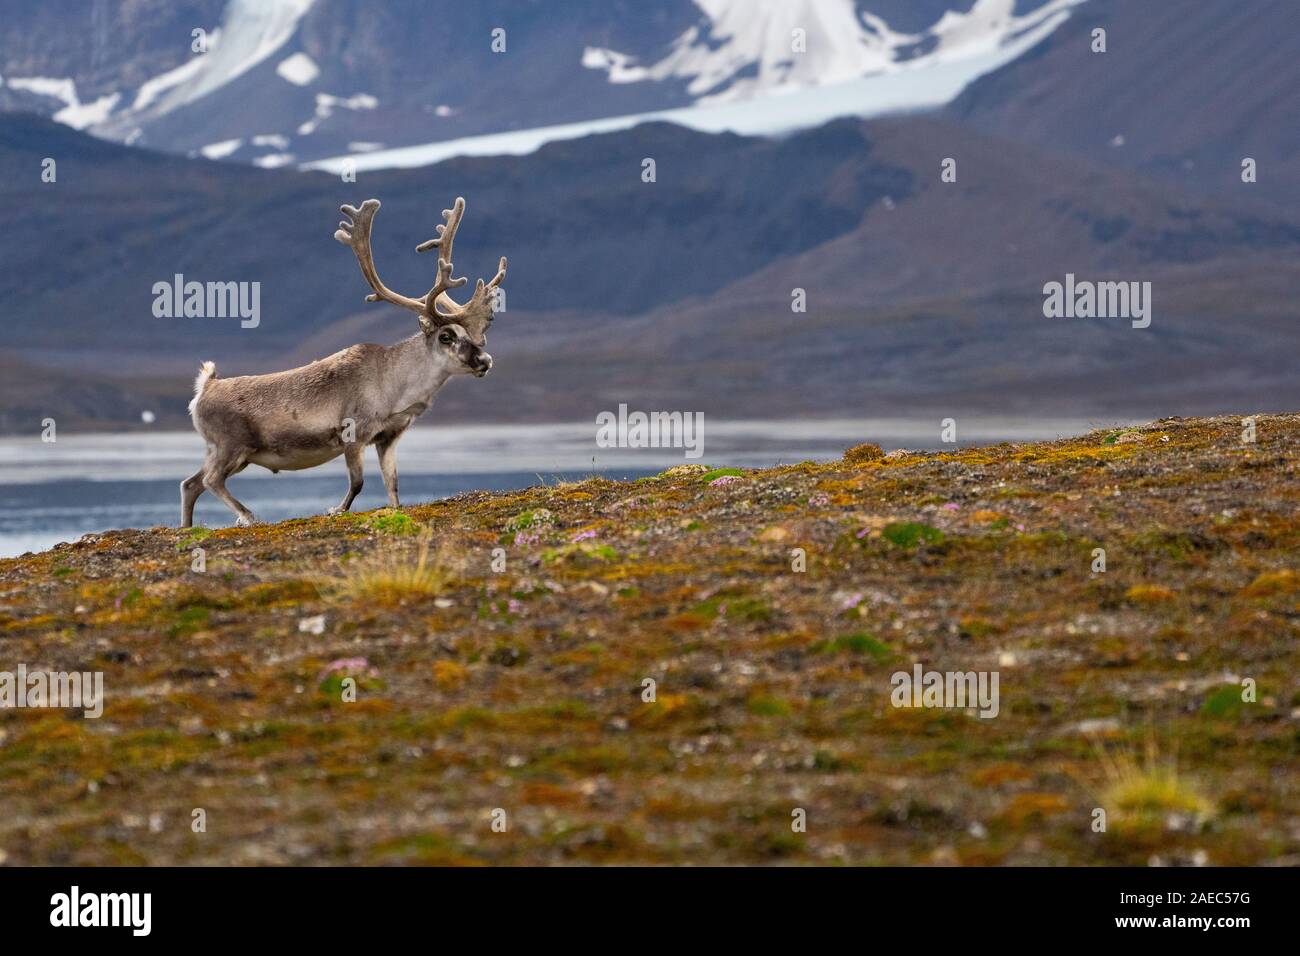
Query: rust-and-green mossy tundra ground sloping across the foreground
point(522, 690)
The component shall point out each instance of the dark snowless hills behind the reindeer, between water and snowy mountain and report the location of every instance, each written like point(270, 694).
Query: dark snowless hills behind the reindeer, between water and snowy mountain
point(921, 295)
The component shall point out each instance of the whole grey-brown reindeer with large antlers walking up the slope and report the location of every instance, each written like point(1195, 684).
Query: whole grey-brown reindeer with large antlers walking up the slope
point(367, 395)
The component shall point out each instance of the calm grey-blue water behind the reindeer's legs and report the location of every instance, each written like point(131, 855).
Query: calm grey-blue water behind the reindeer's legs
point(84, 483)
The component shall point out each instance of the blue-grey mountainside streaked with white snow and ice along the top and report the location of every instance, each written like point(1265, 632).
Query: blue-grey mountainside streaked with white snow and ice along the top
point(280, 83)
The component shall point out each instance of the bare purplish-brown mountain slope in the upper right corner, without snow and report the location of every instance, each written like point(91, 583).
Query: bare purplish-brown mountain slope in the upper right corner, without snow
point(1184, 92)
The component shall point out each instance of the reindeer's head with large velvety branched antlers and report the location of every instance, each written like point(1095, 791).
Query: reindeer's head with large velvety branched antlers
point(436, 309)
